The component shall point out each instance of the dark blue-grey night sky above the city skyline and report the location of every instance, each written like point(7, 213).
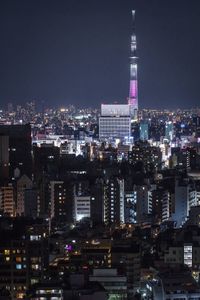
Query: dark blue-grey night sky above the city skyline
point(77, 51)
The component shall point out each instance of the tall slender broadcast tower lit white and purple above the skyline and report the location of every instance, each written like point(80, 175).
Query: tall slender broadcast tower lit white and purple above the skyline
point(133, 92)
